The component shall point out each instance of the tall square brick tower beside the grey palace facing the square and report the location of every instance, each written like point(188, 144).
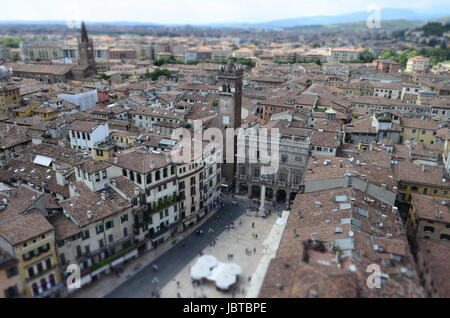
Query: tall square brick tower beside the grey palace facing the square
point(230, 105)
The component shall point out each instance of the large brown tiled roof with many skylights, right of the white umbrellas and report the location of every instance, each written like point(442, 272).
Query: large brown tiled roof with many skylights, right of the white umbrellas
point(341, 226)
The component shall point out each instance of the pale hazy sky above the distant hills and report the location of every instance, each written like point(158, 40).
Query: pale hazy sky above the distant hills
point(191, 11)
